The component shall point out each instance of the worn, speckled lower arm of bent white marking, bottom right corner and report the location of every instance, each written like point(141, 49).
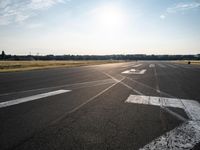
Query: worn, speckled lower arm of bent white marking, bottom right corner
point(184, 137)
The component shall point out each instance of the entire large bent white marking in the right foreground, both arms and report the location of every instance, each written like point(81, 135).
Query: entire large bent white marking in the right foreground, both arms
point(185, 136)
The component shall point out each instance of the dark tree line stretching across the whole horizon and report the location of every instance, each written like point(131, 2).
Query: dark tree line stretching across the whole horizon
point(99, 57)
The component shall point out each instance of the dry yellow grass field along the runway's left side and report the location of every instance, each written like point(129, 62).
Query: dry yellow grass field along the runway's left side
point(9, 66)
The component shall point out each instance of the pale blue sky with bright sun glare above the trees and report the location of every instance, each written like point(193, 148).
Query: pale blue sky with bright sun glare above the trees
point(99, 27)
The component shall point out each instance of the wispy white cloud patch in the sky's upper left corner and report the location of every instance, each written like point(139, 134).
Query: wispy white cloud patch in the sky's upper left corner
point(21, 10)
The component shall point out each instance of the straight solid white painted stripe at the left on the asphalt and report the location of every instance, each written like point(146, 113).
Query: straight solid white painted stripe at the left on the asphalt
point(31, 98)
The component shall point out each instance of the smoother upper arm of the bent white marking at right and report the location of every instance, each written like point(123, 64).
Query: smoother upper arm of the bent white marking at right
point(191, 107)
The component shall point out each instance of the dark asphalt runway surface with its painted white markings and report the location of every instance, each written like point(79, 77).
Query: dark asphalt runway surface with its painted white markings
point(104, 107)
